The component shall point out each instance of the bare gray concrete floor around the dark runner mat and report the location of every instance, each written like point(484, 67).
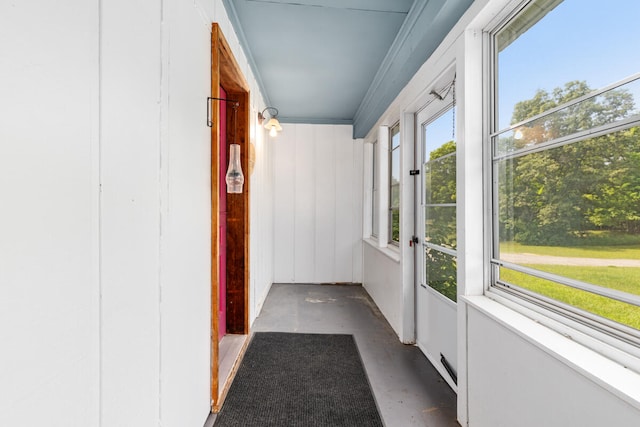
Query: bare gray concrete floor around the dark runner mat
point(408, 390)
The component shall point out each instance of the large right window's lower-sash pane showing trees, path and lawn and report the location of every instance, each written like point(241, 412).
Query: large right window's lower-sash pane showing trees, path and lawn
point(574, 211)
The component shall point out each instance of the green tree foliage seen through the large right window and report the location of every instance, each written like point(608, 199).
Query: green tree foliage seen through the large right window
point(553, 196)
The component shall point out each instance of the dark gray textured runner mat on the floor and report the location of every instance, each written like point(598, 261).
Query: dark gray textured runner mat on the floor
point(288, 379)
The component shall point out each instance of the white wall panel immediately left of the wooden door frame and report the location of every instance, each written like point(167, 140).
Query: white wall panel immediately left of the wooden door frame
point(185, 279)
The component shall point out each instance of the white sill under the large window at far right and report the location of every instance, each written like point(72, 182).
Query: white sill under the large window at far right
point(608, 374)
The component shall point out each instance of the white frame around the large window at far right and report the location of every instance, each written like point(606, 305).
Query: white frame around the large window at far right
point(618, 341)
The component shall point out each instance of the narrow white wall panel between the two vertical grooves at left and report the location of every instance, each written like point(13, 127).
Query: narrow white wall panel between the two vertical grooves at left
point(130, 214)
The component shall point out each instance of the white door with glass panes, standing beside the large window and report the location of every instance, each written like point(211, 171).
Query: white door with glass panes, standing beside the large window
point(436, 266)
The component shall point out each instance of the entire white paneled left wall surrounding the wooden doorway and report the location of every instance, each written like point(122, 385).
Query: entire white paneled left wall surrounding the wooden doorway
point(105, 219)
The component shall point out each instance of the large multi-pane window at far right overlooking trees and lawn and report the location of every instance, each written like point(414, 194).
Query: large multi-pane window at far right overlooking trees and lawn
point(565, 147)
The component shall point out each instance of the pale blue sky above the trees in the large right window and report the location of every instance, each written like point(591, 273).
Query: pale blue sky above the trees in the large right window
point(594, 41)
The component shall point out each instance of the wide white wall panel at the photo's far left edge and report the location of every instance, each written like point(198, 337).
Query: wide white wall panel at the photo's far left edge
point(48, 213)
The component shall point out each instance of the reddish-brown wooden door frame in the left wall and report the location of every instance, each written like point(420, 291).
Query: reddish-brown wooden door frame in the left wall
point(225, 72)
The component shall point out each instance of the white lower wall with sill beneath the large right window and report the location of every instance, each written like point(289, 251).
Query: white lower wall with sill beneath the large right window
point(518, 375)
